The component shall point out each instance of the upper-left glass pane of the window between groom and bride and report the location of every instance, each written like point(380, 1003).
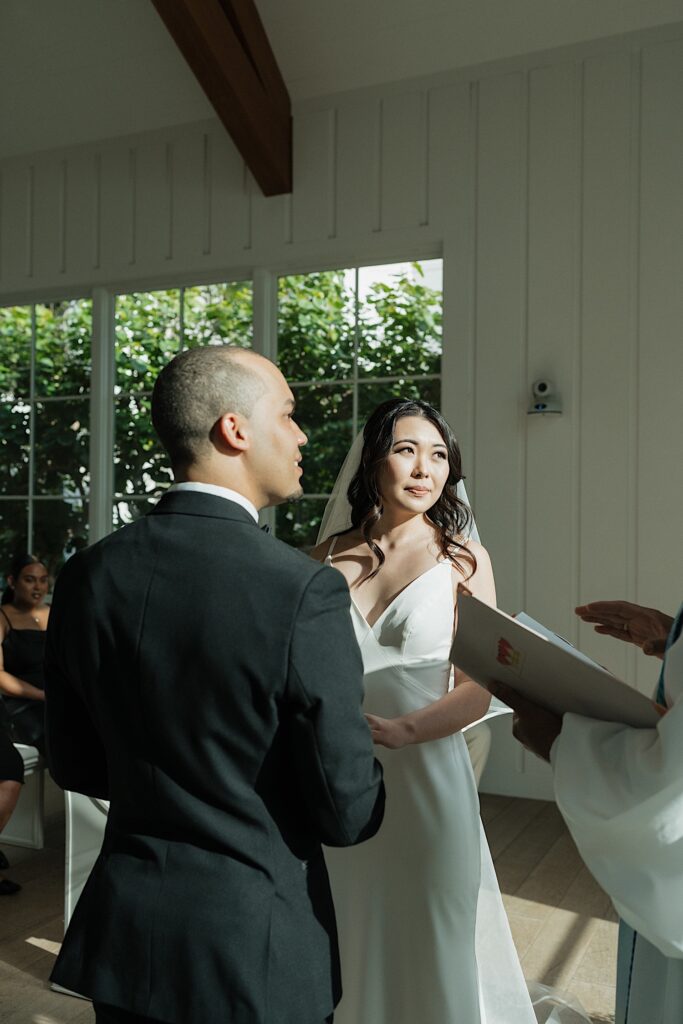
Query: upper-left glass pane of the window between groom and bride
point(316, 326)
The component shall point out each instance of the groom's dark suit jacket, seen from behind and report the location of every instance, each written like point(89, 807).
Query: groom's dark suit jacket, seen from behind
point(205, 678)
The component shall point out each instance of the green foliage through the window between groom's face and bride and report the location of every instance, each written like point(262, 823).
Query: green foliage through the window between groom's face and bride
point(375, 339)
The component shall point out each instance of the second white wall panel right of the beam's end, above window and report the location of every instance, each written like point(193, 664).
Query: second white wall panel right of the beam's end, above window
point(357, 176)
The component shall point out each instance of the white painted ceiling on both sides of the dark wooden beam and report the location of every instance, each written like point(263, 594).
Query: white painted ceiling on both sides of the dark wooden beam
point(76, 71)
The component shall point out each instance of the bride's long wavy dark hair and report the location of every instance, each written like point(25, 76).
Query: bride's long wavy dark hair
point(449, 515)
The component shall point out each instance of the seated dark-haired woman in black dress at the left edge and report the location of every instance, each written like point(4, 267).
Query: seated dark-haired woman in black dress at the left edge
point(23, 624)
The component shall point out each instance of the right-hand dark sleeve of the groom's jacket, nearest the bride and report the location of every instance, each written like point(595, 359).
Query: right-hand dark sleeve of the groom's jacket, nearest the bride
point(331, 743)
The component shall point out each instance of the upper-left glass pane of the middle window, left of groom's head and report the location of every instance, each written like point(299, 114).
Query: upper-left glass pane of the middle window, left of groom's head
point(148, 335)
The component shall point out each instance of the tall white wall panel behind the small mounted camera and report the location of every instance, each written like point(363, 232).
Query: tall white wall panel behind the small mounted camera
point(551, 480)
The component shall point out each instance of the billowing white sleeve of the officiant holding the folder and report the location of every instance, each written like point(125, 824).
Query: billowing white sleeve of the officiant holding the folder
point(621, 793)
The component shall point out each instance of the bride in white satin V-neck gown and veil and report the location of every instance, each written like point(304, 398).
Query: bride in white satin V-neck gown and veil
point(423, 935)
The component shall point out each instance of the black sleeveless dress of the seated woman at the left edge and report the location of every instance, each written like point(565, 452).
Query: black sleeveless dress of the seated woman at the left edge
point(23, 653)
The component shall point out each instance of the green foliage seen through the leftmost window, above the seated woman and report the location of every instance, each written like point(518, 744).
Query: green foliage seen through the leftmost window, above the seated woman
point(56, 413)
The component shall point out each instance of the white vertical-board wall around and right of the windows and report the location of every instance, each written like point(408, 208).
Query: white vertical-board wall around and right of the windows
point(553, 187)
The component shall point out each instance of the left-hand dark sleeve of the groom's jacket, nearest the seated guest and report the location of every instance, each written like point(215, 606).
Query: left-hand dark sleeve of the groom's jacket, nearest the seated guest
point(75, 753)
